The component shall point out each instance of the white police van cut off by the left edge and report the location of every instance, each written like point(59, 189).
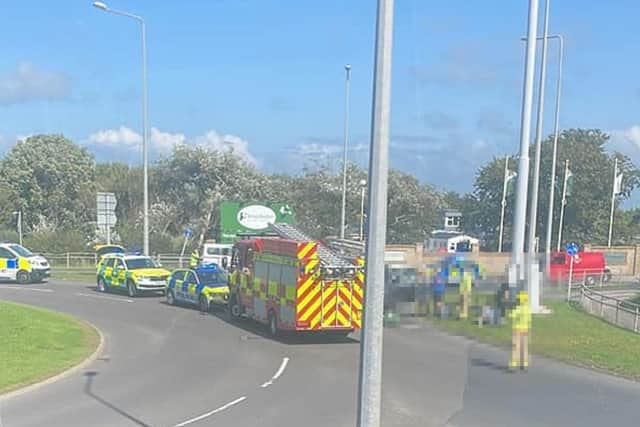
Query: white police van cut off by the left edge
point(19, 264)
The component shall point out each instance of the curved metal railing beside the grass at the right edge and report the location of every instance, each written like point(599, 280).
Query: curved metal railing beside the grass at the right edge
point(612, 309)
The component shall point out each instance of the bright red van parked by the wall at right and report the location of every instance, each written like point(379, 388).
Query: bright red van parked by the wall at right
point(588, 267)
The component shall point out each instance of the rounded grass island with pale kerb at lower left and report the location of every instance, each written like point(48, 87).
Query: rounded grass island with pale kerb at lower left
point(38, 343)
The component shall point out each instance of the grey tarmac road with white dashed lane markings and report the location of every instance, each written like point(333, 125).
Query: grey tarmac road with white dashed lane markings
point(171, 366)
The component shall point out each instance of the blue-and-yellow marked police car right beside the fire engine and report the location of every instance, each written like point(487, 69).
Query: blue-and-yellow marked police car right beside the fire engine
point(205, 285)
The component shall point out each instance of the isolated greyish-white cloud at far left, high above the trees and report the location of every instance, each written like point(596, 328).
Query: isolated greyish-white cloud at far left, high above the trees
point(26, 83)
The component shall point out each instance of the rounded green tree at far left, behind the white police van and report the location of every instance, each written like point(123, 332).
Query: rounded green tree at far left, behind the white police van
point(52, 180)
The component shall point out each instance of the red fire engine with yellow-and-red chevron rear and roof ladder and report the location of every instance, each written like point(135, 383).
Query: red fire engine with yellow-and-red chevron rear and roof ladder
point(292, 283)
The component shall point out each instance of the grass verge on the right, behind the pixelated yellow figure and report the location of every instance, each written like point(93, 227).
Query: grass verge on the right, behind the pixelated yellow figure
point(568, 334)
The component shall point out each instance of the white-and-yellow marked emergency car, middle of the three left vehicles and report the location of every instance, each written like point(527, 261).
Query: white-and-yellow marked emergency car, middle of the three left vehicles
point(133, 273)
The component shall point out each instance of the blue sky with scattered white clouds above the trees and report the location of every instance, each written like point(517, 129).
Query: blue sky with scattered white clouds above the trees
point(266, 78)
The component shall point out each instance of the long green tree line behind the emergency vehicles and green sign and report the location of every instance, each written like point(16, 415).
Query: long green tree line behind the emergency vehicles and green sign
point(54, 181)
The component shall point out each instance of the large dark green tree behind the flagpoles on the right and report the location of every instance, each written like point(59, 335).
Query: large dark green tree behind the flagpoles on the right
point(587, 210)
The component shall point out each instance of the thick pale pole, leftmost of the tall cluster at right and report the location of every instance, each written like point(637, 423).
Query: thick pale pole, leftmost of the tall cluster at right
point(517, 251)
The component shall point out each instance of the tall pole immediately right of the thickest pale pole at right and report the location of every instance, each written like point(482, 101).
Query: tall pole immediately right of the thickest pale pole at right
point(533, 282)
